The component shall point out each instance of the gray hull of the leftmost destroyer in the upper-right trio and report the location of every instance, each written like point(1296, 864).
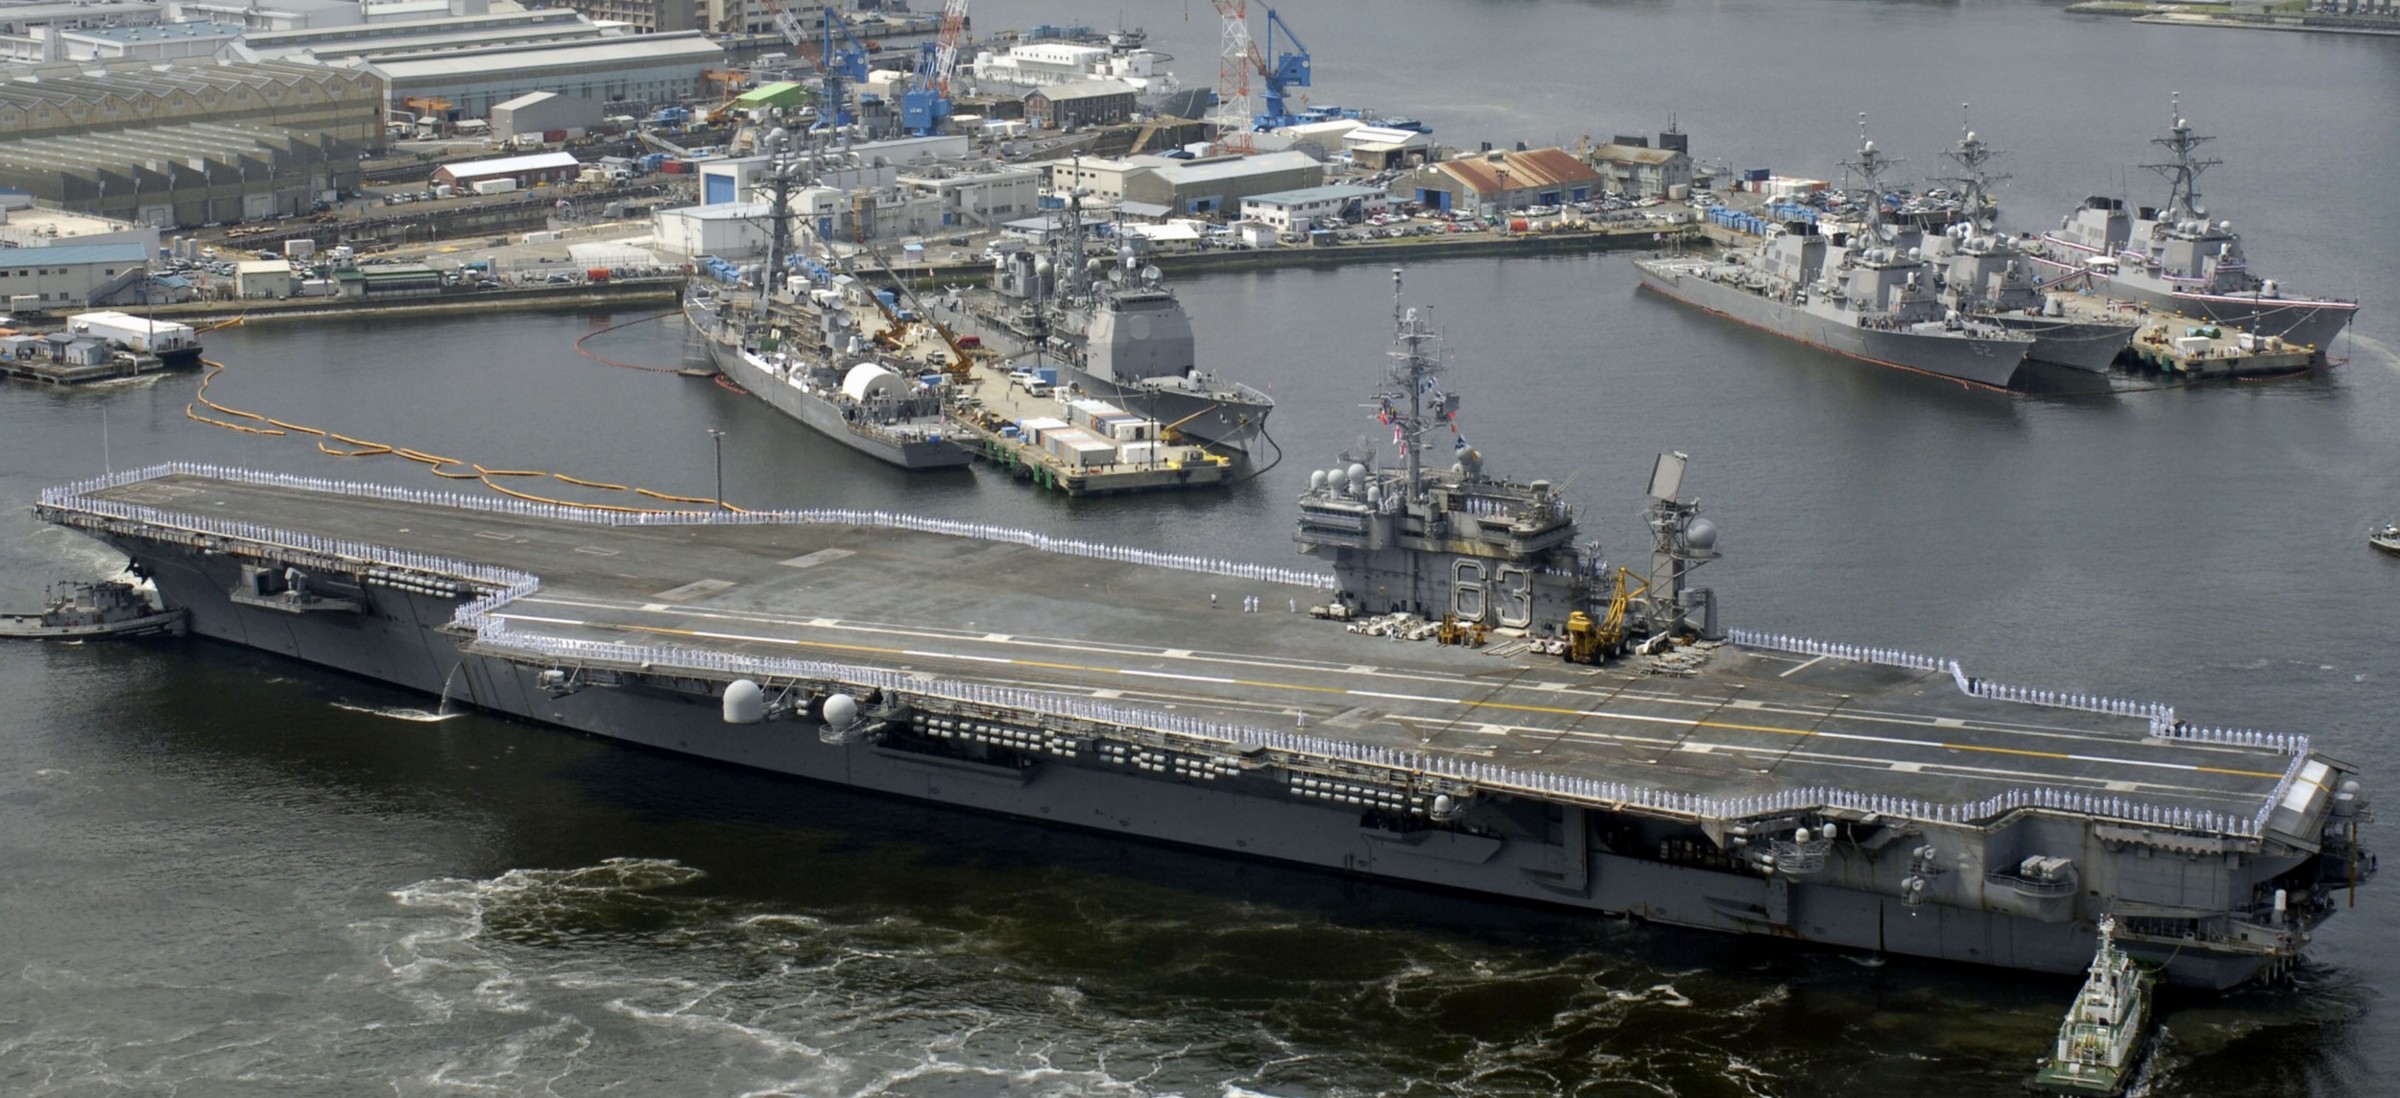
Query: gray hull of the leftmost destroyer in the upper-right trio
point(1924, 354)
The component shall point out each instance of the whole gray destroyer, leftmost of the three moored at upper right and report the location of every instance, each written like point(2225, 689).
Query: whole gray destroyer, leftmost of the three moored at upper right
point(1861, 291)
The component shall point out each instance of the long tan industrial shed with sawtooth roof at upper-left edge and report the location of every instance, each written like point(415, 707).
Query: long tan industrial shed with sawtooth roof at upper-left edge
point(186, 143)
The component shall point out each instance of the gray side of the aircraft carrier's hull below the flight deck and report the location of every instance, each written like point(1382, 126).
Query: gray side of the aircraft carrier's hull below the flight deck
point(407, 646)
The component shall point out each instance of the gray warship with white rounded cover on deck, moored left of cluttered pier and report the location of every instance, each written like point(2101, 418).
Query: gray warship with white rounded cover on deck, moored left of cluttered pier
point(829, 356)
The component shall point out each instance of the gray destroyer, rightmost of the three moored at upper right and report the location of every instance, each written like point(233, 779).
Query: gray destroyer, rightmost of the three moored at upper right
point(2183, 263)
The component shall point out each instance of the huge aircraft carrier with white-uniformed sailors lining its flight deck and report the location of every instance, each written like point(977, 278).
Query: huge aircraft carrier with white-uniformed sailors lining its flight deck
point(1592, 737)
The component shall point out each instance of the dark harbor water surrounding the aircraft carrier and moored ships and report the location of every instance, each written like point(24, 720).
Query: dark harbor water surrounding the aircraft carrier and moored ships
point(236, 876)
